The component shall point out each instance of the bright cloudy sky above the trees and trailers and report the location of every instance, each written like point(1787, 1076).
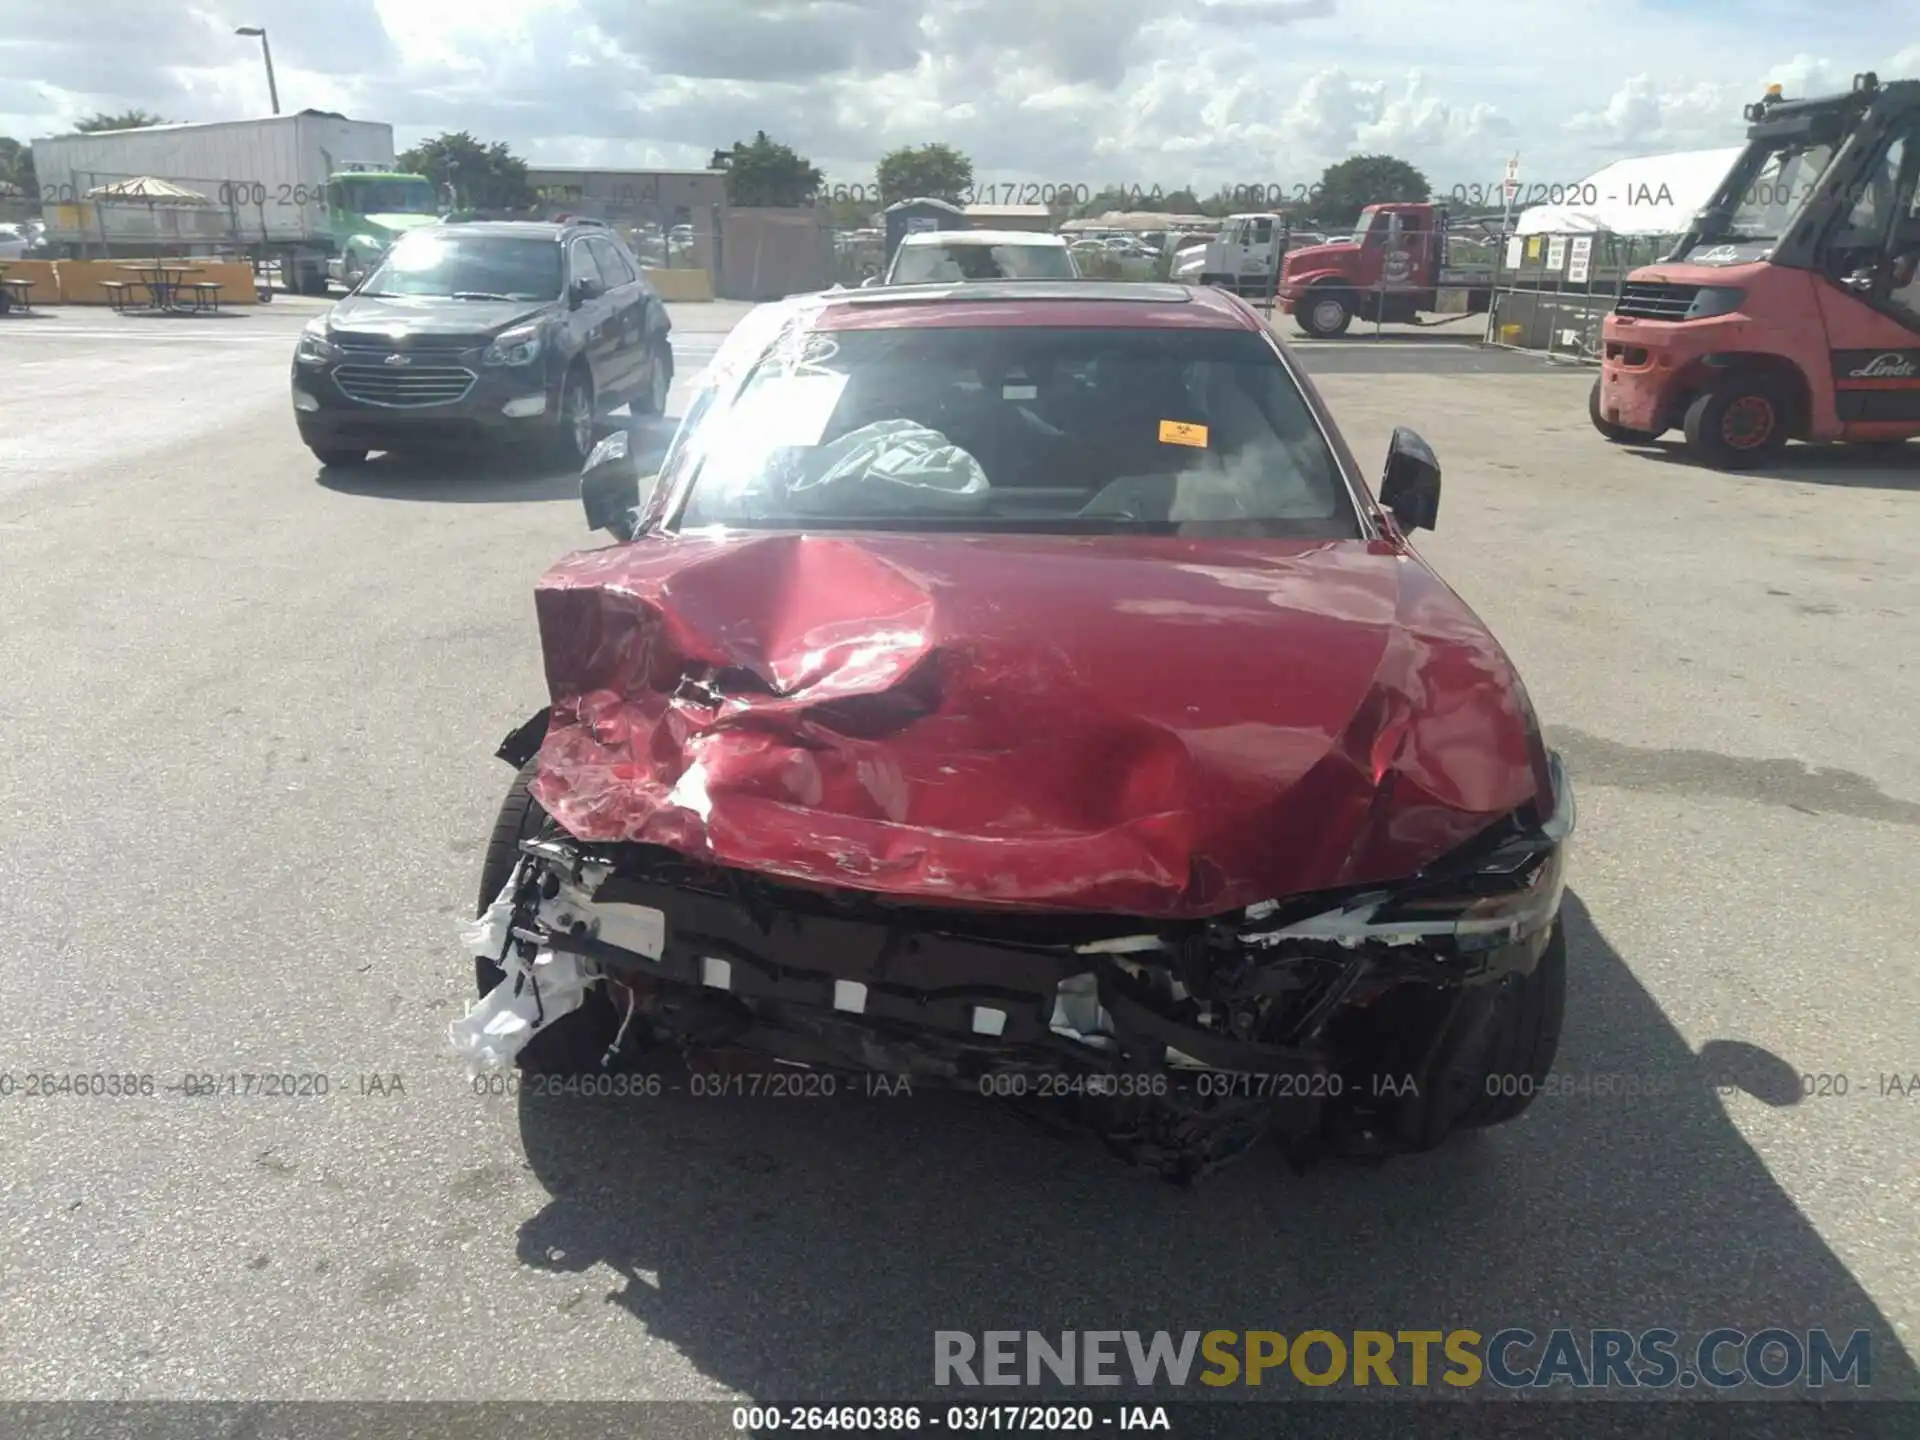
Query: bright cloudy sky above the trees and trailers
point(1068, 91)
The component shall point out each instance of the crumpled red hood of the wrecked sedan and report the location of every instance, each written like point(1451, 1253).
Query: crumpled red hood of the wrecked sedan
point(1147, 727)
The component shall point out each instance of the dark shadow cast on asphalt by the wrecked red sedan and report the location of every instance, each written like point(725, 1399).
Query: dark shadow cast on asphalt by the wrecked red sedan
point(807, 1249)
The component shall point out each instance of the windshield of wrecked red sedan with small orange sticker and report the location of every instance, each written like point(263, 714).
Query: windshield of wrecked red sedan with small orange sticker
point(1067, 431)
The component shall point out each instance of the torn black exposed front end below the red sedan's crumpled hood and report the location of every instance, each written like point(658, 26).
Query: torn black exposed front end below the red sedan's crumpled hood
point(1335, 1022)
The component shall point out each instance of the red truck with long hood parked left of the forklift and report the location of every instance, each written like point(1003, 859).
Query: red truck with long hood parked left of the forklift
point(1401, 264)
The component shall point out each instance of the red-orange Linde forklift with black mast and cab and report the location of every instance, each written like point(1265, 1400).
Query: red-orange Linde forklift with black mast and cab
point(1790, 310)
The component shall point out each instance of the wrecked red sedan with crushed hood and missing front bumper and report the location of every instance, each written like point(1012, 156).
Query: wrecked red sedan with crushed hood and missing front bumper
point(1020, 688)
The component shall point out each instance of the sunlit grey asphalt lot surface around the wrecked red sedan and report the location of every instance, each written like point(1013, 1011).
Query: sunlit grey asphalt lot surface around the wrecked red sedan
point(251, 715)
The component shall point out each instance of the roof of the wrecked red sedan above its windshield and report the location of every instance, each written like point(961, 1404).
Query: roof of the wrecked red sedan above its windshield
point(1013, 304)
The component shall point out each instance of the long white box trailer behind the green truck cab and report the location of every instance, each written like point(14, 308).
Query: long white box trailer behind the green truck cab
point(266, 178)
